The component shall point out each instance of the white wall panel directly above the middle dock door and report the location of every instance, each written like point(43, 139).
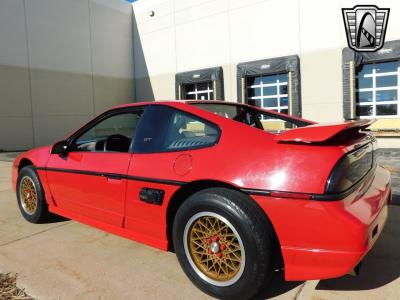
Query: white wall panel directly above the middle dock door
point(264, 30)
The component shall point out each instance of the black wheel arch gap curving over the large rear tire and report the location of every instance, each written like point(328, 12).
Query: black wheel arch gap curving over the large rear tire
point(185, 191)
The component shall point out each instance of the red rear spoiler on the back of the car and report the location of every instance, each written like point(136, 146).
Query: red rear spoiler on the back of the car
point(320, 133)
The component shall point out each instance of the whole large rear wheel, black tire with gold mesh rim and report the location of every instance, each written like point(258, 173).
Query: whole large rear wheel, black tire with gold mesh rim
point(223, 242)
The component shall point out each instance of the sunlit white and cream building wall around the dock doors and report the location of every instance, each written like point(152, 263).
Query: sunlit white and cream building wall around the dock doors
point(186, 35)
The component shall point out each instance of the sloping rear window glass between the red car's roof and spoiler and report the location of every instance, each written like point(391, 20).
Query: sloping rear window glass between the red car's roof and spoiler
point(253, 117)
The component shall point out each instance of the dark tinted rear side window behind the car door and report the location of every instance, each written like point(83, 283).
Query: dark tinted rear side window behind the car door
point(166, 129)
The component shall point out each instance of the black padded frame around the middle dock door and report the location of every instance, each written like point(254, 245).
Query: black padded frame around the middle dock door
point(273, 66)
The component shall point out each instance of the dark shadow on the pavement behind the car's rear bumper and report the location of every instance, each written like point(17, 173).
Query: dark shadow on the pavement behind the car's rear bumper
point(381, 266)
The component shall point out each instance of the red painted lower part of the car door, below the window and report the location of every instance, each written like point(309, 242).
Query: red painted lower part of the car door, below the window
point(98, 197)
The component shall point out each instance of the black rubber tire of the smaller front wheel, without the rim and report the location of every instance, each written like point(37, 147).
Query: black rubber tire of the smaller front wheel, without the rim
point(41, 213)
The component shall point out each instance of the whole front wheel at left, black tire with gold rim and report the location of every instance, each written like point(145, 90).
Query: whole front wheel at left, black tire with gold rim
point(30, 196)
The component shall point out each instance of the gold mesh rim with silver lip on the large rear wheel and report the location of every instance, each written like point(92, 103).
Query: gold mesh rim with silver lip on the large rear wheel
point(214, 249)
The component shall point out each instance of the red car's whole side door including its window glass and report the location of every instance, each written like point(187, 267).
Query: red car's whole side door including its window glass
point(90, 180)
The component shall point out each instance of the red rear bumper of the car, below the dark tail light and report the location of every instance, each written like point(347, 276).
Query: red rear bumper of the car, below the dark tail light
point(321, 239)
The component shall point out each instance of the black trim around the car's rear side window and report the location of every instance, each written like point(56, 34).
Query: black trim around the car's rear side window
point(218, 129)
